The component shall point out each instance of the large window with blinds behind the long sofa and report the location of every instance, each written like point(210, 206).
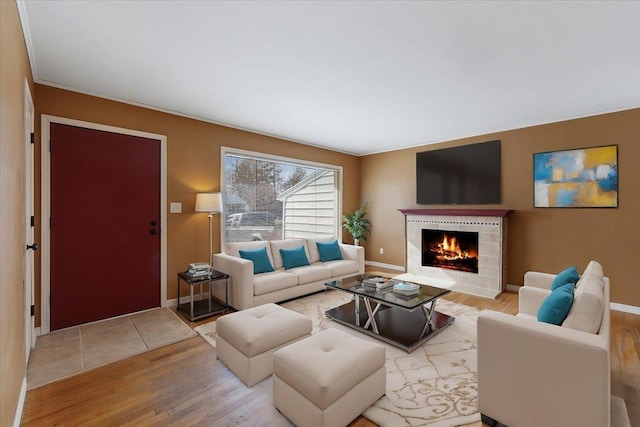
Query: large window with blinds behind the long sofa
point(270, 198)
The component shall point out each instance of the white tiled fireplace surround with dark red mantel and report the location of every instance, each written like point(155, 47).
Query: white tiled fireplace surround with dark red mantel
point(491, 226)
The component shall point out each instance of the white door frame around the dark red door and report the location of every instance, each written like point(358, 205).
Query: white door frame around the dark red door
point(45, 185)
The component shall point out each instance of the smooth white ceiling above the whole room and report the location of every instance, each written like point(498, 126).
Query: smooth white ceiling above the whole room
point(356, 77)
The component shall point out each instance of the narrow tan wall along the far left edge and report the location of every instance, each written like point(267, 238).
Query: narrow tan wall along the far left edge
point(14, 68)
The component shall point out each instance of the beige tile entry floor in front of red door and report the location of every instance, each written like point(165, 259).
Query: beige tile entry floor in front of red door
point(73, 350)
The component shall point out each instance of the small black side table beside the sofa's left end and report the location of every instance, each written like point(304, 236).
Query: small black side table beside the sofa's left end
point(202, 308)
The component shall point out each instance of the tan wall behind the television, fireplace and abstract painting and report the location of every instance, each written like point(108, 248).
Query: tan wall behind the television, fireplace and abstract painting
point(539, 239)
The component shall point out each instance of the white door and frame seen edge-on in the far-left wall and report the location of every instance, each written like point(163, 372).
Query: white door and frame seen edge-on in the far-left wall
point(29, 209)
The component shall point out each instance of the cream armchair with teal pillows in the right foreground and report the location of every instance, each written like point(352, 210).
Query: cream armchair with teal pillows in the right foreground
point(532, 373)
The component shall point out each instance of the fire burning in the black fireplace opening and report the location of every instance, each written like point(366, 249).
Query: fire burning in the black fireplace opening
point(455, 250)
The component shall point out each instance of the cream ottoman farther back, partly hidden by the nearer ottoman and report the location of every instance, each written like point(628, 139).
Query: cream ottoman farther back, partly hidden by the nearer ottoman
point(246, 340)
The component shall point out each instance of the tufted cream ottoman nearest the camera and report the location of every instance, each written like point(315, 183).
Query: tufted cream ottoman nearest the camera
point(328, 379)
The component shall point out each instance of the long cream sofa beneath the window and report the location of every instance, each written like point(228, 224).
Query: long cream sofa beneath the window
point(247, 289)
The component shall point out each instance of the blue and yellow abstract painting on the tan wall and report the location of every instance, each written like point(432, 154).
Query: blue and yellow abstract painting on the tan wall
point(583, 178)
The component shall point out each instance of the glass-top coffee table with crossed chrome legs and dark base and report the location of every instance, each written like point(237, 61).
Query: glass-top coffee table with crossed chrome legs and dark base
point(398, 320)
